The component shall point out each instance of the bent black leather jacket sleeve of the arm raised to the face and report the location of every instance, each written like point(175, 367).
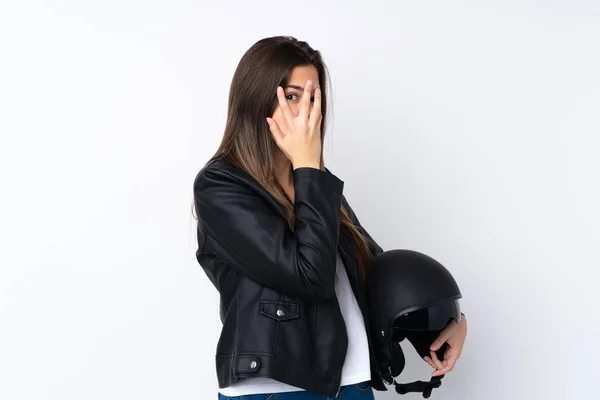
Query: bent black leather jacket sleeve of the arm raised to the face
point(250, 236)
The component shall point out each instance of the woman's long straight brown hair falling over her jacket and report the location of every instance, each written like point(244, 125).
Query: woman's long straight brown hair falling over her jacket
point(247, 141)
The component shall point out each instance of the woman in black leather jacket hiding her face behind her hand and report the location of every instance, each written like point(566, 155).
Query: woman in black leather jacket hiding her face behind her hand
point(280, 243)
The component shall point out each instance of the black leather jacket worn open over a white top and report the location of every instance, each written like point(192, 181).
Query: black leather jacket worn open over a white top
point(281, 318)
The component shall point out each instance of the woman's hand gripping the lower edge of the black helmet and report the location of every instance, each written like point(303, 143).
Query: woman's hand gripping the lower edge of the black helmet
point(455, 335)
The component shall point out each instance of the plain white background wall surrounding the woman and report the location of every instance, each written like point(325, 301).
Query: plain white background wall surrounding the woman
point(465, 130)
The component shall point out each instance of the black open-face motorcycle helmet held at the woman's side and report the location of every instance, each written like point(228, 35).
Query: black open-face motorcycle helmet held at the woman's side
point(411, 296)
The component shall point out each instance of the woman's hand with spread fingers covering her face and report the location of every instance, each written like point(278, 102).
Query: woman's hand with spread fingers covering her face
point(300, 137)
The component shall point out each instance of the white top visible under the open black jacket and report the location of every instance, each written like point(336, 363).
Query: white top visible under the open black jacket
point(356, 365)
